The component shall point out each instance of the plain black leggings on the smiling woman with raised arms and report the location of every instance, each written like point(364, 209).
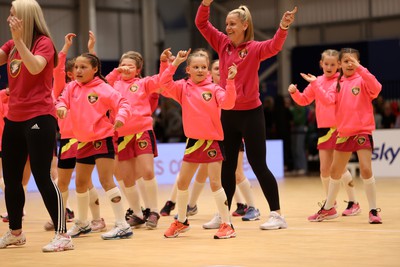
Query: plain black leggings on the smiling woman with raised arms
point(249, 125)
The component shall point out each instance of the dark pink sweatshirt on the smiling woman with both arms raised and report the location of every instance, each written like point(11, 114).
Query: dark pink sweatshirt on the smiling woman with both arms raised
point(247, 56)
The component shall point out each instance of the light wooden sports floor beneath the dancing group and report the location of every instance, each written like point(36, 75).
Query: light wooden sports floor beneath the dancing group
point(345, 241)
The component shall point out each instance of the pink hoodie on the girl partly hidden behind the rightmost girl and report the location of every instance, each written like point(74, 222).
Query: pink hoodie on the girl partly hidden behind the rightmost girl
point(325, 114)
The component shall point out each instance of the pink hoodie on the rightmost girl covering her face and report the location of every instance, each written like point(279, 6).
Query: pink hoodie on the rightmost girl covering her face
point(353, 103)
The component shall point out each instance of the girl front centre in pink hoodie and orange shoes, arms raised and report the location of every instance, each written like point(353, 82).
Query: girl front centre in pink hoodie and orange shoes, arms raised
point(202, 102)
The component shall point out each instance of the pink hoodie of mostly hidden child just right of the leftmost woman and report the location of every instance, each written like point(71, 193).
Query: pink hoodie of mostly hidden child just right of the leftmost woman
point(59, 84)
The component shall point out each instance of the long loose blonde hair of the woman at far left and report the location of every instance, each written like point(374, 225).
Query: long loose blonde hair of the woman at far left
point(34, 24)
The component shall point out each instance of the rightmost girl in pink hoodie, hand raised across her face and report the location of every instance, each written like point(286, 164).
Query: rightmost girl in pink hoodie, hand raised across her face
point(352, 96)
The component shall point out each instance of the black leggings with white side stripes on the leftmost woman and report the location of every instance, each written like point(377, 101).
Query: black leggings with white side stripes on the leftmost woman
point(34, 137)
